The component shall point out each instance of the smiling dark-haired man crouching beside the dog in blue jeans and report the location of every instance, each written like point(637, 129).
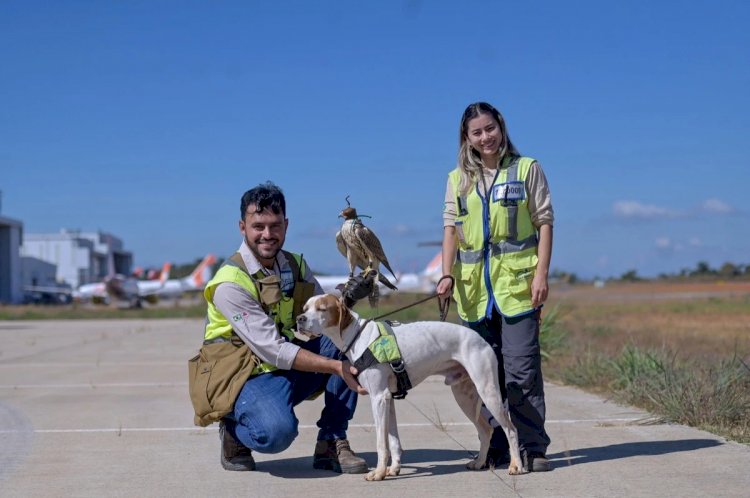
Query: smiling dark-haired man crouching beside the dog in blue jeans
point(255, 296)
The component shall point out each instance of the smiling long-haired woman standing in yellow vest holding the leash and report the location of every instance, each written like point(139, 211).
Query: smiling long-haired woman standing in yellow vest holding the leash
point(497, 244)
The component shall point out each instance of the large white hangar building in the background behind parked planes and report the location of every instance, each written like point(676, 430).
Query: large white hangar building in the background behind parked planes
point(80, 257)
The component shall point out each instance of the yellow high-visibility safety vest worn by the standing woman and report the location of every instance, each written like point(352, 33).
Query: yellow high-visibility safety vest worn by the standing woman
point(497, 244)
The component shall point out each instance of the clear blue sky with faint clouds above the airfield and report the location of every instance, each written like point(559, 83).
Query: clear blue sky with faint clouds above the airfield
point(149, 119)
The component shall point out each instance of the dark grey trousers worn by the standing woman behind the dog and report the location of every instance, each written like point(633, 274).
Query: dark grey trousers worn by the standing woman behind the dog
point(516, 345)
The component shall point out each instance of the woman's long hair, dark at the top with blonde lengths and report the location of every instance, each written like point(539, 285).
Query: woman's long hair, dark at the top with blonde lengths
point(469, 160)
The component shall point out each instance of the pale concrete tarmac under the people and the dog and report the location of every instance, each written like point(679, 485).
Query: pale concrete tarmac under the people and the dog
point(101, 408)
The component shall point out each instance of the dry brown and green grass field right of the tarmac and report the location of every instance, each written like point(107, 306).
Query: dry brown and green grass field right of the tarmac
point(680, 351)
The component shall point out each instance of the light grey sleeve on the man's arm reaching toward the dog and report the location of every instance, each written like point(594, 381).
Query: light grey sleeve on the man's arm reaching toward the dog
point(253, 326)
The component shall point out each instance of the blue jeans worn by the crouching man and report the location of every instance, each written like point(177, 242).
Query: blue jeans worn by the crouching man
point(263, 418)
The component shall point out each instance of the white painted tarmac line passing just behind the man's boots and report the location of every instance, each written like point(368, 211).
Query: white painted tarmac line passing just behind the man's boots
point(309, 426)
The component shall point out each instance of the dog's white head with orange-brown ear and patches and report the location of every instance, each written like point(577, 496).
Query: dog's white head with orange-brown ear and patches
point(325, 314)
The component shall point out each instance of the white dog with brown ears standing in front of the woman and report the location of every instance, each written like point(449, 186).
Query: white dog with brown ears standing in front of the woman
point(427, 348)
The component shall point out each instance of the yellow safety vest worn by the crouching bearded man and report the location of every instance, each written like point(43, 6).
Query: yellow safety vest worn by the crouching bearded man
point(218, 326)
